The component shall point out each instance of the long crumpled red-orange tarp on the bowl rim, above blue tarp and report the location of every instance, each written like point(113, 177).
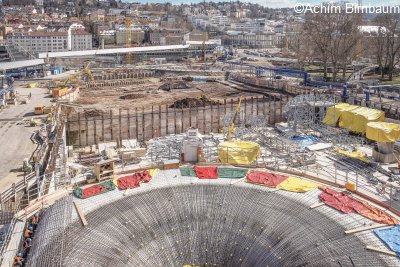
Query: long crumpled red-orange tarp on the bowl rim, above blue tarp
point(348, 204)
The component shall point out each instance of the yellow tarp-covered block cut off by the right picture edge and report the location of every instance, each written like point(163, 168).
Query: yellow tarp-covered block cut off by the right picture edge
point(383, 131)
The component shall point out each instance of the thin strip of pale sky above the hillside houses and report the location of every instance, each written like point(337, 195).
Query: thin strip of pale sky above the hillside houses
point(273, 3)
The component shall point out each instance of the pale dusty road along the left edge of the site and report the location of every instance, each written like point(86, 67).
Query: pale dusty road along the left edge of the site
point(15, 136)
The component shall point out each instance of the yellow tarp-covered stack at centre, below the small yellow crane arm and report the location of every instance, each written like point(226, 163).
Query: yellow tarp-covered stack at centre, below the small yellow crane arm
point(238, 152)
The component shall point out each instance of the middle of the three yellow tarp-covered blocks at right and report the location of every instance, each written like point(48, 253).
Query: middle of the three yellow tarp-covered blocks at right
point(355, 120)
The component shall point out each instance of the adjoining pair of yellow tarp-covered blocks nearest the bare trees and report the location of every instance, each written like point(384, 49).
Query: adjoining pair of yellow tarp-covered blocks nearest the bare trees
point(352, 117)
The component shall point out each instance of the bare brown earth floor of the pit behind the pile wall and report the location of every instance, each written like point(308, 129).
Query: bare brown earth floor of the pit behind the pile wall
point(149, 94)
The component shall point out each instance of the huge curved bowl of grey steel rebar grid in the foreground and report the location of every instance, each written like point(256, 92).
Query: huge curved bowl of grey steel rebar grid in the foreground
point(171, 222)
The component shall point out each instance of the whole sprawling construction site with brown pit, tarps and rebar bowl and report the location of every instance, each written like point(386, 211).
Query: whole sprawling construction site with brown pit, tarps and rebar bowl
point(204, 164)
